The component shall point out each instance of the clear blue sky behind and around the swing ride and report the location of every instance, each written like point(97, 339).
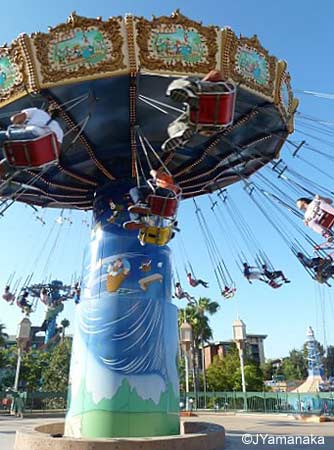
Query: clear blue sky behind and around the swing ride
point(300, 32)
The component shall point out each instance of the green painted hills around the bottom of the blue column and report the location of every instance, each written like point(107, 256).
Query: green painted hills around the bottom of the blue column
point(112, 418)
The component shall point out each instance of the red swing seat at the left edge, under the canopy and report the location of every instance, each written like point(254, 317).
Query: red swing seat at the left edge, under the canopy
point(36, 153)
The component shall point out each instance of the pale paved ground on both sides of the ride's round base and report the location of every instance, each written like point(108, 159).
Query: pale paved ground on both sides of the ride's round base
point(235, 426)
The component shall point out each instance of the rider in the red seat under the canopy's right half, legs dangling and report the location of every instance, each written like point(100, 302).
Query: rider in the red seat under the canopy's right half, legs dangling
point(186, 90)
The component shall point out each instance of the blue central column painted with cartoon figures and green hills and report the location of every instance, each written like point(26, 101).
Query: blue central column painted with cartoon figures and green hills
point(123, 378)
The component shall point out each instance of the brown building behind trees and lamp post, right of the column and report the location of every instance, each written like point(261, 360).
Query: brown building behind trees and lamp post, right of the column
point(254, 349)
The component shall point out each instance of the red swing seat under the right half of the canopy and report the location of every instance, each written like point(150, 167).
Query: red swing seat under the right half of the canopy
point(214, 109)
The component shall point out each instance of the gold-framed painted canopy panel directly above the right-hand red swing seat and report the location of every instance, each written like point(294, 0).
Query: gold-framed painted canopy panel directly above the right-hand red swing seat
point(176, 44)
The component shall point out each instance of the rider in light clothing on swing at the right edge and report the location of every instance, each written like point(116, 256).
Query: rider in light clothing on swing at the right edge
point(314, 211)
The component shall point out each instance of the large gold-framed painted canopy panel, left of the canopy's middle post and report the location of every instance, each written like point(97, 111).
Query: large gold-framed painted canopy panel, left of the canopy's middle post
point(82, 48)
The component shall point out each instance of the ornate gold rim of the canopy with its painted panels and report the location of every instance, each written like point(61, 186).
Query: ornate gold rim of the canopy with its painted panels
point(89, 48)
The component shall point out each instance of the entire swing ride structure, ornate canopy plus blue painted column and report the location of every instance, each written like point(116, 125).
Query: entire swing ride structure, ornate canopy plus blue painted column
point(108, 79)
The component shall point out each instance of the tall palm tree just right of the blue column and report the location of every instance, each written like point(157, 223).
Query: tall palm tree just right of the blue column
point(197, 315)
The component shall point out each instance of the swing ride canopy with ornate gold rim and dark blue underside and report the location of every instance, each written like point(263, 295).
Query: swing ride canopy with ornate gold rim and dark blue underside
point(109, 79)
